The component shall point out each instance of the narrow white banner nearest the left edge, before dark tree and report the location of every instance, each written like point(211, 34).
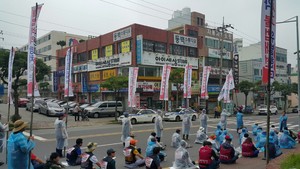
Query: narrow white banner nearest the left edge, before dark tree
point(10, 69)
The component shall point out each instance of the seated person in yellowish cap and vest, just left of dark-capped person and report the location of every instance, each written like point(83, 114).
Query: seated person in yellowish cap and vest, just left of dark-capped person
point(88, 158)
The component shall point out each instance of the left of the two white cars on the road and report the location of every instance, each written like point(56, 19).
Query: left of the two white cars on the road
point(140, 116)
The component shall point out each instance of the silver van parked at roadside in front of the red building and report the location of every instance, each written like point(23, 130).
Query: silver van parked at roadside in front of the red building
point(104, 108)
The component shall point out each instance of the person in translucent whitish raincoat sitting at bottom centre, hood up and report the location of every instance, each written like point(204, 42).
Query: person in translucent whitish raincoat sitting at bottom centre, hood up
point(182, 158)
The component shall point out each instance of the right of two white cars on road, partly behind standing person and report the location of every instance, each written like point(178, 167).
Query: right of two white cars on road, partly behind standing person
point(177, 115)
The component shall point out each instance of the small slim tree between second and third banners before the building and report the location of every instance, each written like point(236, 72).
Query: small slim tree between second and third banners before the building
point(177, 77)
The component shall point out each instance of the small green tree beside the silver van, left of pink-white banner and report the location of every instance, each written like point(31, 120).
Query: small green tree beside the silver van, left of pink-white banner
point(115, 83)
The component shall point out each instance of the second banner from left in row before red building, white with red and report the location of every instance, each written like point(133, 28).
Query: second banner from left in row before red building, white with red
point(164, 88)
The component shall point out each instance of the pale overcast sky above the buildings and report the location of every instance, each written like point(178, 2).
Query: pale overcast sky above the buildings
point(97, 17)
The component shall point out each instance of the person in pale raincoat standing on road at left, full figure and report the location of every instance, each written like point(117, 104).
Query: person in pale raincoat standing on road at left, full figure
point(61, 134)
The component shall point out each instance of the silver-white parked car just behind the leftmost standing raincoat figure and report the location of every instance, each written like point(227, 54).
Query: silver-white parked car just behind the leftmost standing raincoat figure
point(51, 109)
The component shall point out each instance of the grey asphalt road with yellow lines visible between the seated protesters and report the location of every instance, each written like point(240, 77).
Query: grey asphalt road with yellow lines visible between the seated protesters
point(108, 136)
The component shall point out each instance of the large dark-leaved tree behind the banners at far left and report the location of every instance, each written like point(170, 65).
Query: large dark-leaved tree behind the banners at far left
point(19, 67)
